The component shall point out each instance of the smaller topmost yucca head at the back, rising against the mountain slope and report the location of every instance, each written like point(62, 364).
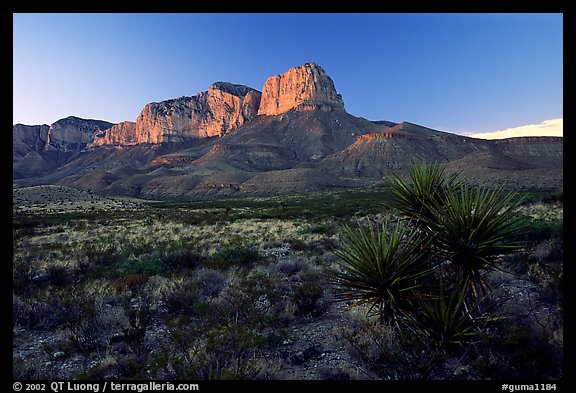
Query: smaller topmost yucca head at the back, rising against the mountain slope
point(427, 188)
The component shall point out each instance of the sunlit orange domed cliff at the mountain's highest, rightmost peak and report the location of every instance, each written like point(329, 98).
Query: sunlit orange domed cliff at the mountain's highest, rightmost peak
point(302, 88)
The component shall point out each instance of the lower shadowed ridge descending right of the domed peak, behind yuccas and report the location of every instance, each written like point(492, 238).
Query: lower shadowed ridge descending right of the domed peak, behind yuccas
point(533, 161)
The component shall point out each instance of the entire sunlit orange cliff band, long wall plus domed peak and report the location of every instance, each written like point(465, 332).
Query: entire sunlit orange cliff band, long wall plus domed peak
point(225, 107)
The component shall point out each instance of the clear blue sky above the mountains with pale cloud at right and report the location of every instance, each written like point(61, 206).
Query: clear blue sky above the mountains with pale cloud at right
point(470, 74)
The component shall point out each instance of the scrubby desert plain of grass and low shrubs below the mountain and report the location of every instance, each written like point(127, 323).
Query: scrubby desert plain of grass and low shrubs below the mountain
point(241, 289)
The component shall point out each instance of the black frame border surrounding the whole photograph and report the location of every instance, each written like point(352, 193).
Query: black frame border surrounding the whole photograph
point(566, 7)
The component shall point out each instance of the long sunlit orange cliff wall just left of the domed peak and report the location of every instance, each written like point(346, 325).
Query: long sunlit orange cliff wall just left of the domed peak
point(224, 107)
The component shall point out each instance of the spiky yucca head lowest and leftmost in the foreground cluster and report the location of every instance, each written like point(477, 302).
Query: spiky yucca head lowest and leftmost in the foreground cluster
point(381, 267)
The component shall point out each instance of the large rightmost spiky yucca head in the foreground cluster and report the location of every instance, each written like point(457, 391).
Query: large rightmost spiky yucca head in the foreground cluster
point(473, 228)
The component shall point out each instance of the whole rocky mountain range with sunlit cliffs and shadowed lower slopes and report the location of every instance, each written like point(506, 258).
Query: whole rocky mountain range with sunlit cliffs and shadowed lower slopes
point(293, 136)
